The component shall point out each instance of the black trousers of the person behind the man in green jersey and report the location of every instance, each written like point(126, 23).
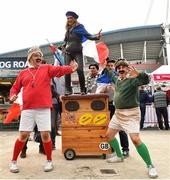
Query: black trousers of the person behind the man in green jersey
point(122, 135)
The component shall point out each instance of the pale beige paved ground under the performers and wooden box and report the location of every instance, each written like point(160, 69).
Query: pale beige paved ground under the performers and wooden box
point(157, 141)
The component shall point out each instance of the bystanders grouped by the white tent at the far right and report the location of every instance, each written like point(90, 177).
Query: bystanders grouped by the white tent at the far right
point(159, 101)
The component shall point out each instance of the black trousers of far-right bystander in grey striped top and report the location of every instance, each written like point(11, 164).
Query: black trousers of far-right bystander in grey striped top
point(162, 111)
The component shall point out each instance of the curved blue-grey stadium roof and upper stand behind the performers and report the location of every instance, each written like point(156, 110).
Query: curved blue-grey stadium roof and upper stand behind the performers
point(143, 44)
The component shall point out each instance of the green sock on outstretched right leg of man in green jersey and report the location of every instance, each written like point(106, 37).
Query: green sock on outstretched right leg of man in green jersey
point(144, 153)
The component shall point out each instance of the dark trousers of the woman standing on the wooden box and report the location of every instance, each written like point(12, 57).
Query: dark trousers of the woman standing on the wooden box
point(78, 57)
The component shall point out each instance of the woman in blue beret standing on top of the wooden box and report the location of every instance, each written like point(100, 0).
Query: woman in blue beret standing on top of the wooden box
point(74, 36)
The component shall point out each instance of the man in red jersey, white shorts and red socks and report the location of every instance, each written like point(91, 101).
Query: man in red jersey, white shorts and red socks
point(37, 101)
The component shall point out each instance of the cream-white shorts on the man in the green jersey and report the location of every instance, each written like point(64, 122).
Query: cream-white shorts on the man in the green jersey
point(126, 119)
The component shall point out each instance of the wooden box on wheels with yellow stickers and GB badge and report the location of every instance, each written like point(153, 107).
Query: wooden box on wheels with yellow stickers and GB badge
point(85, 120)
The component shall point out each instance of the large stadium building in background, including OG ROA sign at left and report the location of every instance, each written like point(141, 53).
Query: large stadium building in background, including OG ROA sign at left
point(144, 47)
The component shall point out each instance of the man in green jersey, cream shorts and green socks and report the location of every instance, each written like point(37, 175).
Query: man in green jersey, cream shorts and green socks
point(127, 113)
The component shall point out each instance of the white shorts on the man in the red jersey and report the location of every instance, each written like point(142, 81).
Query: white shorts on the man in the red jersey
point(31, 117)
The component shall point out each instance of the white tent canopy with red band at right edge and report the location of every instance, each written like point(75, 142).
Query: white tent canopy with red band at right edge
point(162, 73)
